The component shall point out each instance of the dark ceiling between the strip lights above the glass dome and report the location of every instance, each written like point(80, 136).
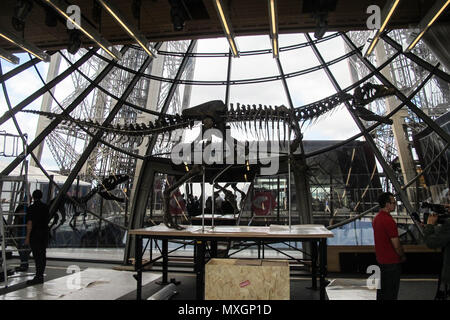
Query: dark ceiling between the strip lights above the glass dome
point(248, 17)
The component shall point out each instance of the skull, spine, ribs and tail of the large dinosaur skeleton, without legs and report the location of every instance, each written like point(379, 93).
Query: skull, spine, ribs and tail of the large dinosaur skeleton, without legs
point(216, 114)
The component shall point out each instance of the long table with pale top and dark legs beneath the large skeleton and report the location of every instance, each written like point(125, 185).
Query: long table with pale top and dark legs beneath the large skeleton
point(315, 234)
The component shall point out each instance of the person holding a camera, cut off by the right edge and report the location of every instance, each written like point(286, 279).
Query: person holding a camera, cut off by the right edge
point(438, 236)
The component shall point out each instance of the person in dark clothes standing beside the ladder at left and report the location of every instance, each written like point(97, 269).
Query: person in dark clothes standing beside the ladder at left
point(37, 235)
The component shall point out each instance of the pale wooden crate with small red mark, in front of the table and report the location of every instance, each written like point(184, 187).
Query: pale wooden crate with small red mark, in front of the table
point(240, 279)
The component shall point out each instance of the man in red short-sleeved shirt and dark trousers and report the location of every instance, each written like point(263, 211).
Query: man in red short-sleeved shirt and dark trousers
point(388, 249)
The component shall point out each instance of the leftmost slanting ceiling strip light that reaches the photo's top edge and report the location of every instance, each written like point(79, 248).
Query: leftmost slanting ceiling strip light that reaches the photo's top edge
point(92, 34)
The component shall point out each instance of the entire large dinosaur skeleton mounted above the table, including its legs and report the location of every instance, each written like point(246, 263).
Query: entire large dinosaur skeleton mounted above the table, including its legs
point(215, 114)
